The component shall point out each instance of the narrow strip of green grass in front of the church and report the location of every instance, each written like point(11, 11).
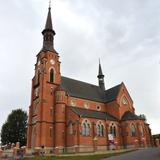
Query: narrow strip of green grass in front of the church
point(79, 157)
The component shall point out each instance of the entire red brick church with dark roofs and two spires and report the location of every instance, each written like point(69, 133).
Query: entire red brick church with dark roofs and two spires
point(68, 115)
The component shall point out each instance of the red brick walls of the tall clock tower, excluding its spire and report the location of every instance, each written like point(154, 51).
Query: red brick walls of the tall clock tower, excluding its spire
point(43, 118)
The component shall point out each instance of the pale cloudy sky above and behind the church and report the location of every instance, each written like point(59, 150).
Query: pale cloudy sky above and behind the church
point(124, 34)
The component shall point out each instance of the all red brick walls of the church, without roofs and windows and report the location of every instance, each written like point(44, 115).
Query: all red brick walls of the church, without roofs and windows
point(51, 121)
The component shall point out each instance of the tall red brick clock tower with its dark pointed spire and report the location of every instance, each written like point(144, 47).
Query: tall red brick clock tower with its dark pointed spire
point(44, 83)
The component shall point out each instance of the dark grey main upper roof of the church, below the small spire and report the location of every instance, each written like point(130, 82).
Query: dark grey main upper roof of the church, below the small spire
point(85, 90)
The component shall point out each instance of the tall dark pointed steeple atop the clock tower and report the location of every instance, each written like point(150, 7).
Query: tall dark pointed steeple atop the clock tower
point(48, 33)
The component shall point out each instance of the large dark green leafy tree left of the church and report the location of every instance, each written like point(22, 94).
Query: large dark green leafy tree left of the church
point(15, 128)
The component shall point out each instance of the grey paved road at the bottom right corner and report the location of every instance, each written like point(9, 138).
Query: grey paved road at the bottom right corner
point(142, 154)
